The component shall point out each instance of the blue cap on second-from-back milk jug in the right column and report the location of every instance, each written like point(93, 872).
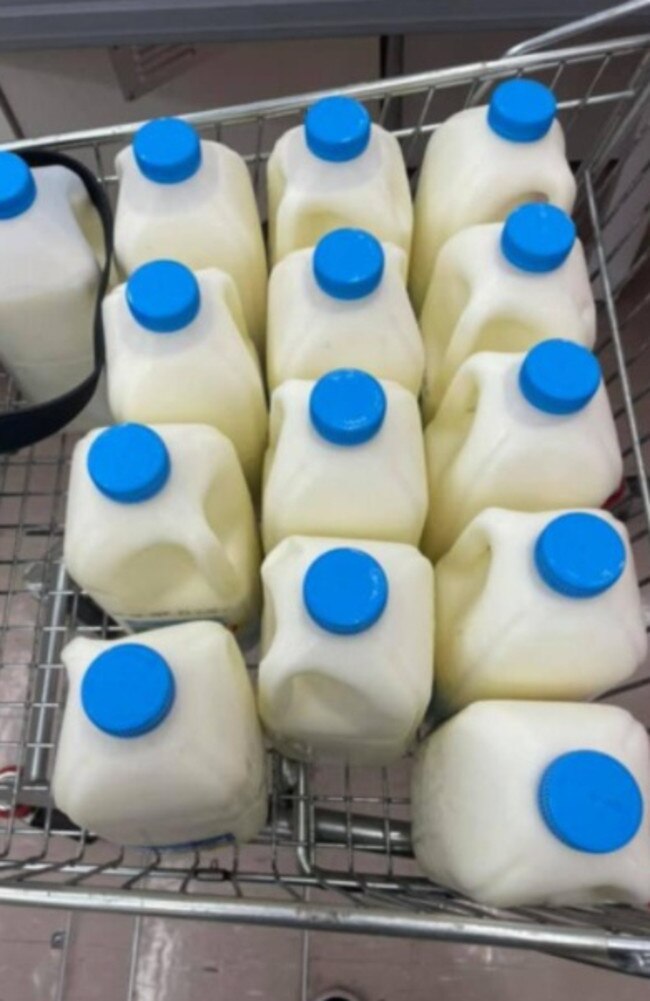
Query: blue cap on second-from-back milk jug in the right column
point(537, 238)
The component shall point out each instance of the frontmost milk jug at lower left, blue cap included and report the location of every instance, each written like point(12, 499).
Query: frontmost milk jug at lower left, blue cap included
point(161, 744)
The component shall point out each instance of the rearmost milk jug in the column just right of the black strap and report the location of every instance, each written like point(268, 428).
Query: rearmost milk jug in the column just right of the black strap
point(192, 201)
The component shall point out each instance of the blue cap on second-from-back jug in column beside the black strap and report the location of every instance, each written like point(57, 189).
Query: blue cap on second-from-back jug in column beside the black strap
point(164, 297)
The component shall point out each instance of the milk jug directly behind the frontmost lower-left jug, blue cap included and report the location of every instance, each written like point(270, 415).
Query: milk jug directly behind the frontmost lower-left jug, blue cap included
point(161, 526)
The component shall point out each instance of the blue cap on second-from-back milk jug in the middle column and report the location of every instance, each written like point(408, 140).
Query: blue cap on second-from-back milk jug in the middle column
point(349, 264)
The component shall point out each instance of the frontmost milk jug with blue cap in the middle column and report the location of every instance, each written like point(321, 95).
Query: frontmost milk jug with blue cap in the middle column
point(348, 632)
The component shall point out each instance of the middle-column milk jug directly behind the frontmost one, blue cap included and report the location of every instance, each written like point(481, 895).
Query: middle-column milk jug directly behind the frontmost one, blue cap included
point(346, 458)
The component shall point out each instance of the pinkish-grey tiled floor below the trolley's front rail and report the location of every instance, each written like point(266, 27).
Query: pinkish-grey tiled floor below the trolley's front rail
point(54, 956)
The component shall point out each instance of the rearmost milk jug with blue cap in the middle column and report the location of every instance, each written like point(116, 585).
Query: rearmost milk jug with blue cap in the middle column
point(338, 170)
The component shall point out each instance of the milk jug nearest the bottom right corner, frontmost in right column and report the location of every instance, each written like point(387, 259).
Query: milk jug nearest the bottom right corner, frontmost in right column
point(523, 803)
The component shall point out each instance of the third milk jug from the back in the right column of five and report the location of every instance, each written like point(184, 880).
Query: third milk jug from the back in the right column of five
point(528, 432)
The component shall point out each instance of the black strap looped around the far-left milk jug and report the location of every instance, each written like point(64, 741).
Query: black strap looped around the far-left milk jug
point(26, 427)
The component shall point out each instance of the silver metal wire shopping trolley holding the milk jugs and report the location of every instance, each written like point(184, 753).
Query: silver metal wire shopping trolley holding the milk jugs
point(336, 853)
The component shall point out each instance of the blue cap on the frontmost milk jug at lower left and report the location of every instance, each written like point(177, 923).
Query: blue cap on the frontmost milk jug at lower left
point(129, 690)
